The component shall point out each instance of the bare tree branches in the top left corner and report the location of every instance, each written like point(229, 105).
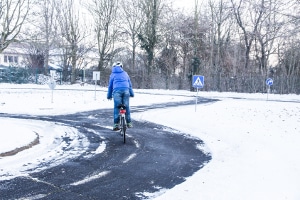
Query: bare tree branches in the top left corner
point(13, 13)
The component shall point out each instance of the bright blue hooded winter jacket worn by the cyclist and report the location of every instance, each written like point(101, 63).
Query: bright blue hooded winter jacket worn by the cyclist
point(119, 80)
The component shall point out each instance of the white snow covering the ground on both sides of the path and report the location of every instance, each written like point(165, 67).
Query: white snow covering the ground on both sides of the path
point(253, 138)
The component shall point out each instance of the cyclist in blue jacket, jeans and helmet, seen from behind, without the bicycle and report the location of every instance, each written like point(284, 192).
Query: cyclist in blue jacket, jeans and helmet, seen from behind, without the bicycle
point(120, 89)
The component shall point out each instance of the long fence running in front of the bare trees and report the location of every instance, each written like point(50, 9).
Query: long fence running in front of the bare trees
point(248, 84)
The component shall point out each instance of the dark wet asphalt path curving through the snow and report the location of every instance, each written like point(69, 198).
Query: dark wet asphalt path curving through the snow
point(154, 158)
